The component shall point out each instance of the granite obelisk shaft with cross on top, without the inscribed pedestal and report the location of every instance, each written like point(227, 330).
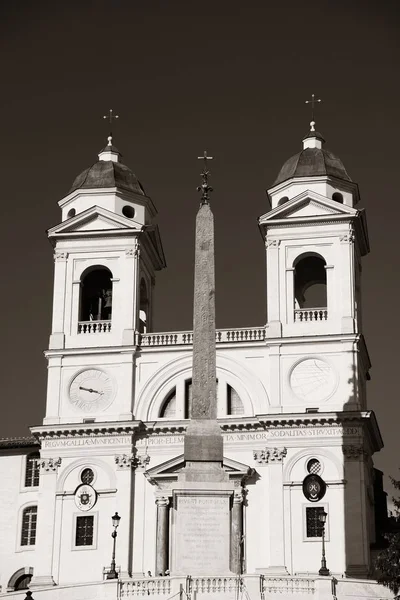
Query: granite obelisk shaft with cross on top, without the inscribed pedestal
point(203, 446)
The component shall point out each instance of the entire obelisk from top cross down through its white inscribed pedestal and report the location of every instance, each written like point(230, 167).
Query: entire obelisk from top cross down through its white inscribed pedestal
point(202, 496)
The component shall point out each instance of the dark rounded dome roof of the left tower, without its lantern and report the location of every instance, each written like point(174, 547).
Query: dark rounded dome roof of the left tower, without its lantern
point(108, 173)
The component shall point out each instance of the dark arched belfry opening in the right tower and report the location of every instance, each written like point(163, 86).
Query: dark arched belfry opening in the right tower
point(310, 282)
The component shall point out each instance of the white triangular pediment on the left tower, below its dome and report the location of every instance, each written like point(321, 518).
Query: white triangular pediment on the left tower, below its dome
point(94, 219)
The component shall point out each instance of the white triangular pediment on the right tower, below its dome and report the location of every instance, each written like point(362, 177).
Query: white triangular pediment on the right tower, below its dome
point(308, 205)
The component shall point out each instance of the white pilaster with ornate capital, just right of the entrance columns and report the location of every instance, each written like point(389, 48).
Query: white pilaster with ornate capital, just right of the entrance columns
point(273, 457)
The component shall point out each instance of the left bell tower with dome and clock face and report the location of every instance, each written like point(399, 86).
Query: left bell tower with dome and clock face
point(107, 249)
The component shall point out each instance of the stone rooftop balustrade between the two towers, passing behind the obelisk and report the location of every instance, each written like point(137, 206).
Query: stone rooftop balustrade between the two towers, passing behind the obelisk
point(185, 338)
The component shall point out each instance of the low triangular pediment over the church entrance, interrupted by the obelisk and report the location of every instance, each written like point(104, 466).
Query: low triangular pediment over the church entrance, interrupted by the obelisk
point(165, 473)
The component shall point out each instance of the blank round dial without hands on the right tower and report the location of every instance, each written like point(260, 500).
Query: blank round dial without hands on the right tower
point(312, 380)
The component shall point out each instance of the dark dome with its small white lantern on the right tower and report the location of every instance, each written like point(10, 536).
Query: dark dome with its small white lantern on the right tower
point(312, 161)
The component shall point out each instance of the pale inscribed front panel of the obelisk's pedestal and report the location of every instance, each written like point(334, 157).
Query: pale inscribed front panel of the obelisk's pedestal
point(202, 535)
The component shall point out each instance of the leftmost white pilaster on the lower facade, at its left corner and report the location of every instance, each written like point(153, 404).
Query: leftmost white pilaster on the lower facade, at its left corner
point(45, 523)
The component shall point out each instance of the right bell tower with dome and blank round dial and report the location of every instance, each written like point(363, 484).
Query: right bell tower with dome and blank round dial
point(315, 239)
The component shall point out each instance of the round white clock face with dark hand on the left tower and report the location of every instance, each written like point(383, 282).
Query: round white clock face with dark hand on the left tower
point(92, 390)
